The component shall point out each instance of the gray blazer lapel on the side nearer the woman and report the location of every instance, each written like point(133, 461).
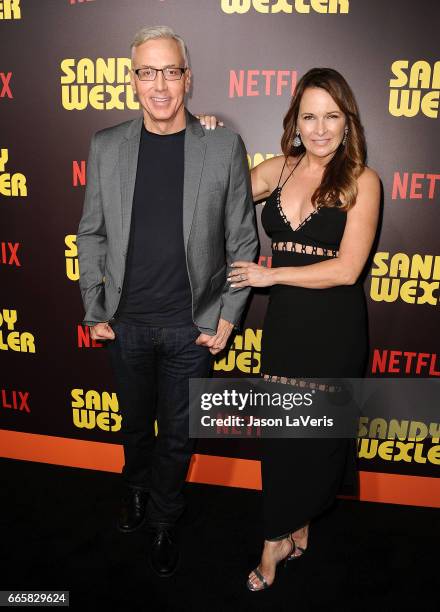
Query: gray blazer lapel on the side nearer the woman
point(195, 149)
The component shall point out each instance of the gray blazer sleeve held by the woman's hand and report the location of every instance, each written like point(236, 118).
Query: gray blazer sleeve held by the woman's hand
point(241, 238)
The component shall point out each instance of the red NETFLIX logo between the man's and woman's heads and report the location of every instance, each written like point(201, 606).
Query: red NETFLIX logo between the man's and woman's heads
point(251, 83)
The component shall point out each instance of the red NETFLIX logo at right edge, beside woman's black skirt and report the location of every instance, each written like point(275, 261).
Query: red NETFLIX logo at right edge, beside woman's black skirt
point(387, 361)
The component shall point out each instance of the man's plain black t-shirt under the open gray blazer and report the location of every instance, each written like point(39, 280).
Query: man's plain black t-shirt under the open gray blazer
point(156, 289)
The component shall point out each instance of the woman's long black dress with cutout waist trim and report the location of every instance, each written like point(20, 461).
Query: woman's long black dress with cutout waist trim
point(307, 333)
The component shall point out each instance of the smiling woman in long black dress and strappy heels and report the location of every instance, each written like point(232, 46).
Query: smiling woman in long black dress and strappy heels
point(321, 212)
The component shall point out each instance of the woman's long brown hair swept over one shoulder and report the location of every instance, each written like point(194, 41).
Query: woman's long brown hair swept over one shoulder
point(348, 162)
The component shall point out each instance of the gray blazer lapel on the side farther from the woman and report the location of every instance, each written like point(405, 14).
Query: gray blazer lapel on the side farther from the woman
point(128, 158)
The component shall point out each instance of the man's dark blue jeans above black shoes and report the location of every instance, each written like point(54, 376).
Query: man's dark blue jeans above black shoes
point(152, 366)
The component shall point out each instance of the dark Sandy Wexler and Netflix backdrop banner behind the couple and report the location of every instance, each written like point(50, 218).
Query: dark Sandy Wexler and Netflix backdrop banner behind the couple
point(64, 74)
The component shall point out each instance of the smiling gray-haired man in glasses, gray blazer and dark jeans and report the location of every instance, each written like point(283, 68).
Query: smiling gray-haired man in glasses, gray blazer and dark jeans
point(168, 206)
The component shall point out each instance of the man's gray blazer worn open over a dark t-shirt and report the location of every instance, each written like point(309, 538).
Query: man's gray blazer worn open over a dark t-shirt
point(218, 220)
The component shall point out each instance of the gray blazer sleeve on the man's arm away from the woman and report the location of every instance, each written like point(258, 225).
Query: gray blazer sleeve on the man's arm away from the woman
point(92, 243)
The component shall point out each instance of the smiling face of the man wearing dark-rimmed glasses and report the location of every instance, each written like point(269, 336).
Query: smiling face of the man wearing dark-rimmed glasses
point(162, 100)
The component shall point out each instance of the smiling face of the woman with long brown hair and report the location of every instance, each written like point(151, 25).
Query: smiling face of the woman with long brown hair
point(321, 122)
